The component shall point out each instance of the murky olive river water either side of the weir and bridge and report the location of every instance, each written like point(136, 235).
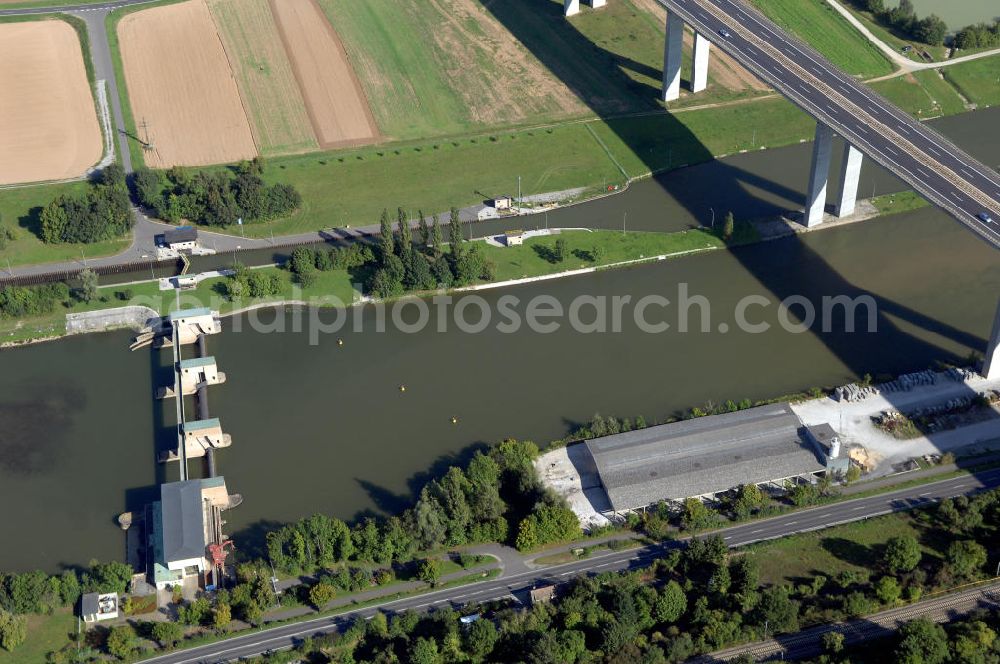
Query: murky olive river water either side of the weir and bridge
point(326, 428)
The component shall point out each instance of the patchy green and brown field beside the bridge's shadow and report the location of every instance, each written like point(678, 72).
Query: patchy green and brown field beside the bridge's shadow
point(445, 66)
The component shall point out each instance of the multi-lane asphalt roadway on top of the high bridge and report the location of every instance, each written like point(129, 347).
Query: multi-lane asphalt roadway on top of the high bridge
point(918, 155)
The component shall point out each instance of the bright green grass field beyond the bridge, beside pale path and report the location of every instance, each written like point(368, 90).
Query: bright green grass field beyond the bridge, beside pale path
point(828, 32)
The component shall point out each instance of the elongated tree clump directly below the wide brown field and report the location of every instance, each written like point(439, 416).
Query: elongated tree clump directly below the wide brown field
point(215, 197)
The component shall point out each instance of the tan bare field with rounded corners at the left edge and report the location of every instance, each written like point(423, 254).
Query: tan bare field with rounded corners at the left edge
point(48, 123)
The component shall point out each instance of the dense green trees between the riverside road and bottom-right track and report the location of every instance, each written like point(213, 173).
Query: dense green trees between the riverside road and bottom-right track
point(700, 599)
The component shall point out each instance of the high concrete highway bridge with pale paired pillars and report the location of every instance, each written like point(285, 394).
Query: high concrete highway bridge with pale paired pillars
point(869, 124)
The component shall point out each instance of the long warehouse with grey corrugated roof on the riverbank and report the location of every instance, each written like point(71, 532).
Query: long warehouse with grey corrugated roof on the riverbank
point(704, 456)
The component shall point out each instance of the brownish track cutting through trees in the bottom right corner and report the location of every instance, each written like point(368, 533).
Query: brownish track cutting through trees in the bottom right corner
point(808, 642)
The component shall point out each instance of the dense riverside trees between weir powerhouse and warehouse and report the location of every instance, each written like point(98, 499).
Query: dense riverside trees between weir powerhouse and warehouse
point(497, 497)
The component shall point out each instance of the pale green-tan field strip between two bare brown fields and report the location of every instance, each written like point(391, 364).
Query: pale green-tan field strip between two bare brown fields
point(264, 76)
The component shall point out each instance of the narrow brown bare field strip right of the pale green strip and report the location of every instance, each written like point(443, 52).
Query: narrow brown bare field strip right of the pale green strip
point(334, 99)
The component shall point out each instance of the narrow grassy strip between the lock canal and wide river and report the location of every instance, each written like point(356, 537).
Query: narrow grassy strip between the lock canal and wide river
point(588, 250)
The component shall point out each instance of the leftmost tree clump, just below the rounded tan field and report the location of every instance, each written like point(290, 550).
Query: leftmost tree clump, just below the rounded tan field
point(103, 212)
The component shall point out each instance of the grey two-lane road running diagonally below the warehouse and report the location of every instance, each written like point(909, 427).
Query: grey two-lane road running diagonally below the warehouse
point(517, 583)
